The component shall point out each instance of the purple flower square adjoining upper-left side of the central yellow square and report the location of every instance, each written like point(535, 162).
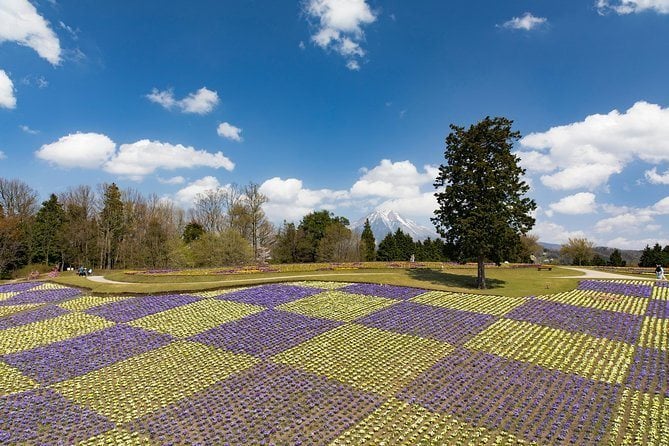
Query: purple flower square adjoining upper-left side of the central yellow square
point(265, 334)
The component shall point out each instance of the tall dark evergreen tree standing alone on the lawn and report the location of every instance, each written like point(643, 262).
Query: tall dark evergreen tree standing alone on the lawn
point(482, 206)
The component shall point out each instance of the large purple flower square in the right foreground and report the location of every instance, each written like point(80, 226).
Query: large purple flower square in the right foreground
point(535, 403)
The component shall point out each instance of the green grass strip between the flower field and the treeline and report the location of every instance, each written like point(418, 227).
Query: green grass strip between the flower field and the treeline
point(501, 281)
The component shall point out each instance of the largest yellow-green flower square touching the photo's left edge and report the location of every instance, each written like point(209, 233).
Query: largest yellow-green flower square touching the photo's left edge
point(25, 337)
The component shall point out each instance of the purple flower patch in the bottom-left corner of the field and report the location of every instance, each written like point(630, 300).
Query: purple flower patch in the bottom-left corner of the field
point(44, 417)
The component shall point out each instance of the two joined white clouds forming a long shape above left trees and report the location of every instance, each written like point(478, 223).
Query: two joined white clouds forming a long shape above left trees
point(135, 160)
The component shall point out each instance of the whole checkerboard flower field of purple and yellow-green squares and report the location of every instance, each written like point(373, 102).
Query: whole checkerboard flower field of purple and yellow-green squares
point(323, 362)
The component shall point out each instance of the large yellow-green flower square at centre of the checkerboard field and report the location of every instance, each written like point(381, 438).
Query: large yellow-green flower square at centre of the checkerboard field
point(366, 358)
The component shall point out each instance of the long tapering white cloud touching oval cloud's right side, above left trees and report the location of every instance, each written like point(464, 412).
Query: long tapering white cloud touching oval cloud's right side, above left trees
point(144, 157)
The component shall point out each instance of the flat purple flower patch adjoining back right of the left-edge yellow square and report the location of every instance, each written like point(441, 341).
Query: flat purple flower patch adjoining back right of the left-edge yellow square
point(130, 309)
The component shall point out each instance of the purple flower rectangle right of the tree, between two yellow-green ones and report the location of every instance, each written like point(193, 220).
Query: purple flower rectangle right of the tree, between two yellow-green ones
point(599, 323)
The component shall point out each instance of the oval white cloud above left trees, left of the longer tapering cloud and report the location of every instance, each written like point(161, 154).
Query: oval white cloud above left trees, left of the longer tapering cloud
point(84, 150)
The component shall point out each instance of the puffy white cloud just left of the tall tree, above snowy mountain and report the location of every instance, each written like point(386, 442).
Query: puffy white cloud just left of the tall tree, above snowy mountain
point(393, 180)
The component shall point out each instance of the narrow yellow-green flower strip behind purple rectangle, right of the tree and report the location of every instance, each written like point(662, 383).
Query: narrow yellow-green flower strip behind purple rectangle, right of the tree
point(600, 301)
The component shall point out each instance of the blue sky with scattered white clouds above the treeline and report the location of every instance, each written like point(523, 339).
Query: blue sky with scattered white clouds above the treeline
point(344, 104)
